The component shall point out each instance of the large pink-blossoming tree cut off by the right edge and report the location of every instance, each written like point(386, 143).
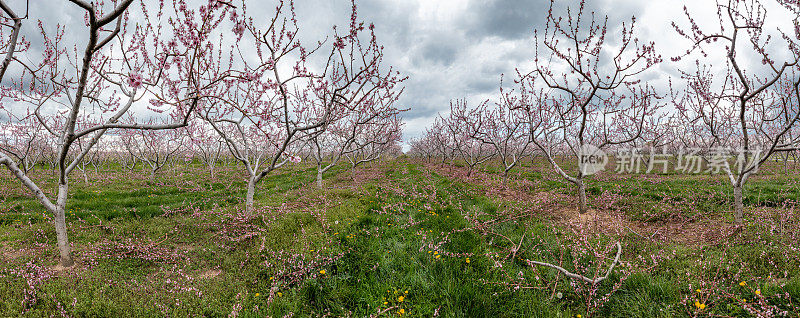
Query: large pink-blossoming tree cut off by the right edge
point(748, 111)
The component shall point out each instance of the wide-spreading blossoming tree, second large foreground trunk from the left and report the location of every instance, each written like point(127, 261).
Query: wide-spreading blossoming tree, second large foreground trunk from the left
point(276, 98)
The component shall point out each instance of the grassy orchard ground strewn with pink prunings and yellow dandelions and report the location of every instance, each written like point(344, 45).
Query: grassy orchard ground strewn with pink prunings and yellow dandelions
point(401, 238)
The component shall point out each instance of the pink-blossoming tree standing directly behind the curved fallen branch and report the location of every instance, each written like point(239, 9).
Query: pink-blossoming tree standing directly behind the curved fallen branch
point(584, 91)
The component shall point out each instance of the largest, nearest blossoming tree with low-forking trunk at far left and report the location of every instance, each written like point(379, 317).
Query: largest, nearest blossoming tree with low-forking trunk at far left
point(78, 99)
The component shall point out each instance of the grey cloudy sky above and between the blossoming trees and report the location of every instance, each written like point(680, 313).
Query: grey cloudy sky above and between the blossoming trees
point(457, 48)
